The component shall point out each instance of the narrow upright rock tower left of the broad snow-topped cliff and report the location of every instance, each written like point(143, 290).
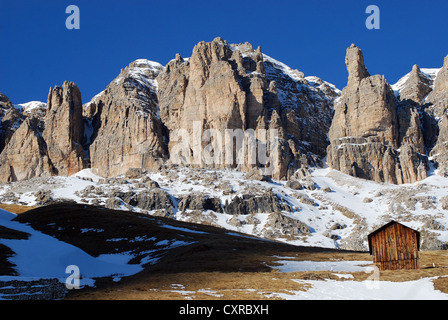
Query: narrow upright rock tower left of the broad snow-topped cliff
point(64, 129)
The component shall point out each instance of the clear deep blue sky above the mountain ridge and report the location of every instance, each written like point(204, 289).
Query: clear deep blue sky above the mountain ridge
point(38, 52)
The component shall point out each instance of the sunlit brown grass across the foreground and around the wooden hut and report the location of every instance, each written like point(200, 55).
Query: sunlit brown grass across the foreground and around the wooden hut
point(253, 285)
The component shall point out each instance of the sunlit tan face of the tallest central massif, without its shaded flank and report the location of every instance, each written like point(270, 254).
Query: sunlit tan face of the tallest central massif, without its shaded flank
point(215, 89)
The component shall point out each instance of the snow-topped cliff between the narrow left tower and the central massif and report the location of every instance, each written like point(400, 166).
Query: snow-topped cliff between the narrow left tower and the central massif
point(126, 131)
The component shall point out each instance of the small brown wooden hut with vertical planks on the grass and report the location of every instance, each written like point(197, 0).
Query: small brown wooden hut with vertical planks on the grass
point(394, 246)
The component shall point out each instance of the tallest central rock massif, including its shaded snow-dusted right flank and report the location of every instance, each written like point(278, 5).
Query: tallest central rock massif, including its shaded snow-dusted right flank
point(232, 86)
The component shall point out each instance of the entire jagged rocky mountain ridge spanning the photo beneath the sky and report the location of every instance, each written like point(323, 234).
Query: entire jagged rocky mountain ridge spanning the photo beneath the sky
point(264, 94)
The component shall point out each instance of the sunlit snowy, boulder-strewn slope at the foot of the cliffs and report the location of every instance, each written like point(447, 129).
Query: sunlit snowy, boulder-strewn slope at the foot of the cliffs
point(339, 211)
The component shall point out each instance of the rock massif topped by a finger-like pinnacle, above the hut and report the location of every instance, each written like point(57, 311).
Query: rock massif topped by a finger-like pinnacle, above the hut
point(372, 136)
